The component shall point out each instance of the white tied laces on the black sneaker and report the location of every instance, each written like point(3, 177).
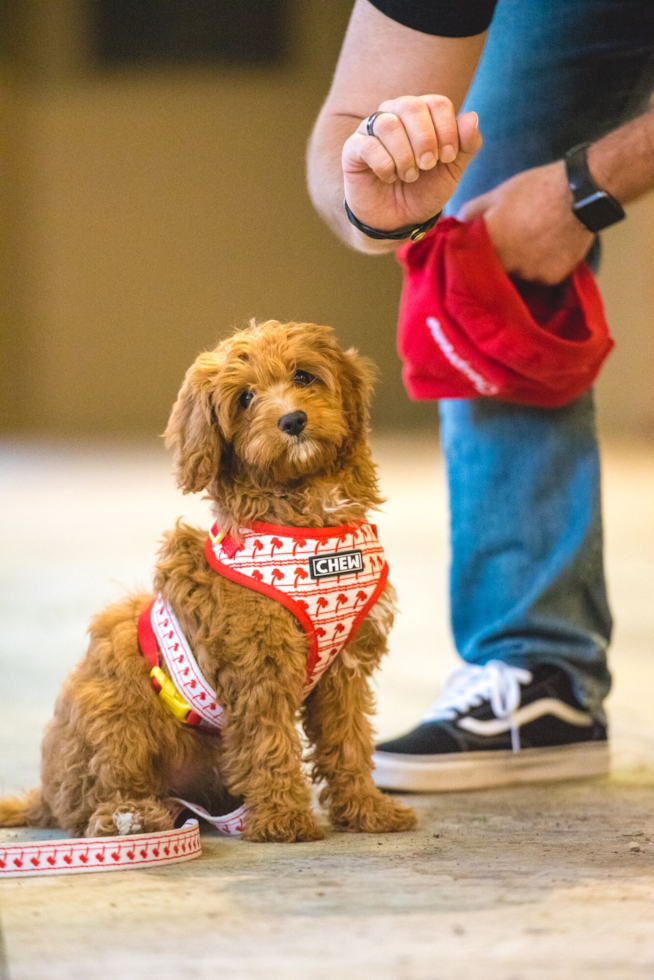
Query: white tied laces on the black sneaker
point(469, 686)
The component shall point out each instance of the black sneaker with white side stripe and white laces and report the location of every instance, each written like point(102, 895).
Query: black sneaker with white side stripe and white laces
point(496, 725)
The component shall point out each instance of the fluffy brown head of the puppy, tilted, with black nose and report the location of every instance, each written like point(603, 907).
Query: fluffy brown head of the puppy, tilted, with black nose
point(279, 401)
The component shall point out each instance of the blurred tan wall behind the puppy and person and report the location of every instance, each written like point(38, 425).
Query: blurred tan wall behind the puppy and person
point(147, 210)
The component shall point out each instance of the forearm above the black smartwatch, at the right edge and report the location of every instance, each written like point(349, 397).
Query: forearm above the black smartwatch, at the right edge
point(622, 162)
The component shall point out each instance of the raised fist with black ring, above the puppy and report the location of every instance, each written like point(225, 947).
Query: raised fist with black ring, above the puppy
point(407, 171)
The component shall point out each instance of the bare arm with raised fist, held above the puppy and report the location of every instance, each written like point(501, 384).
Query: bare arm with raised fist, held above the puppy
point(386, 64)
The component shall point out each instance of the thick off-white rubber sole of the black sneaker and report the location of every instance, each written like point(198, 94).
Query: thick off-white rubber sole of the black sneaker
point(484, 770)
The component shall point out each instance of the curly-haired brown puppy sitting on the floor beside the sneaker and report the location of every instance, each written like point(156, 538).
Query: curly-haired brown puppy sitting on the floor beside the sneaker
point(113, 753)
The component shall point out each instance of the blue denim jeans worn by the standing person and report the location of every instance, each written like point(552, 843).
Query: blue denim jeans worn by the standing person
point(527, 577)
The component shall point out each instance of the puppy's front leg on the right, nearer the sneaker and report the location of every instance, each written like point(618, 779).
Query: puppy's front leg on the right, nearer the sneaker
point(336, 719)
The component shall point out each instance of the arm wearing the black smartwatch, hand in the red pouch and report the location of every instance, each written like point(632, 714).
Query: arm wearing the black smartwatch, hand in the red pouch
point(529, 216)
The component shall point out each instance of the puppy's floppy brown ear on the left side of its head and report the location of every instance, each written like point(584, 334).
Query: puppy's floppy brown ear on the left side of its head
point(193, 430)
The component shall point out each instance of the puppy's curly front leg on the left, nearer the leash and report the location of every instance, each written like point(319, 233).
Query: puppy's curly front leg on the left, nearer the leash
point(262, 755)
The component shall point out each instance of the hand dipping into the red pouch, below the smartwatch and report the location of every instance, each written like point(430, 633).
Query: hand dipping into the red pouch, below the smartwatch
point(531, 224)
